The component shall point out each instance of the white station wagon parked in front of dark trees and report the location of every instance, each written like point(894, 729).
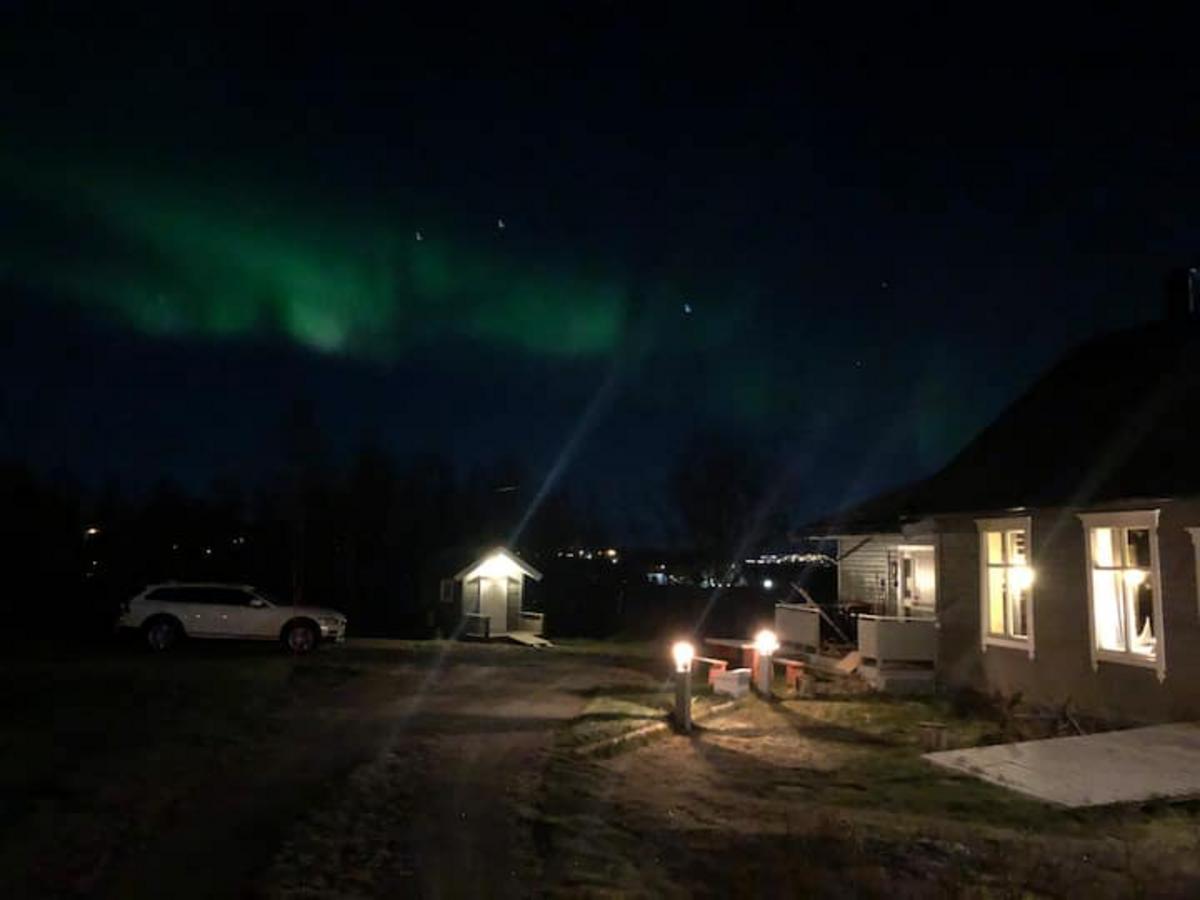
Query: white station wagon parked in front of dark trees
point(175, 610)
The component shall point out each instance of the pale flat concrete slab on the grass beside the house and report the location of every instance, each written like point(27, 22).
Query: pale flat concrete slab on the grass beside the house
point(1162, 761)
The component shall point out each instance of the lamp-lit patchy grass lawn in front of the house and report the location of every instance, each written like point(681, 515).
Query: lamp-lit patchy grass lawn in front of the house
point(831, 797)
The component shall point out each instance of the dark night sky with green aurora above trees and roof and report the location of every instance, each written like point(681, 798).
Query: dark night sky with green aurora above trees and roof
point(848, 245)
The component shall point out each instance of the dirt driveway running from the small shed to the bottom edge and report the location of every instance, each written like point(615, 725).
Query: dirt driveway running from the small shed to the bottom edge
point(445, 811)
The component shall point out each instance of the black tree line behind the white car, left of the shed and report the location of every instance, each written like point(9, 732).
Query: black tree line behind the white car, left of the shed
point(368, 538)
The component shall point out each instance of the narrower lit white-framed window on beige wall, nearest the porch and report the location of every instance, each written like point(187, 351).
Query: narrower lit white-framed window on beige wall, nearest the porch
point(1006, 584)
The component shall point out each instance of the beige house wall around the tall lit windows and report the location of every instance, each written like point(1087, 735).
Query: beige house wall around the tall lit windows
point(1061, 669)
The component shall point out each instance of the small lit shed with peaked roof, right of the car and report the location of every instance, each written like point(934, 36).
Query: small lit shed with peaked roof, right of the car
point(491, 591)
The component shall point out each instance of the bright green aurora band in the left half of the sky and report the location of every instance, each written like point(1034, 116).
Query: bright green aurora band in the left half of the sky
point(189, 261)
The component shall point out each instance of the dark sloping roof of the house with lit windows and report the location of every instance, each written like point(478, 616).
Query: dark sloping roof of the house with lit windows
point(1118, 418)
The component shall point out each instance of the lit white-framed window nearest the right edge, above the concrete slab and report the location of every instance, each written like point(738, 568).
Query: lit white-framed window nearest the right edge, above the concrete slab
point(1126, 604)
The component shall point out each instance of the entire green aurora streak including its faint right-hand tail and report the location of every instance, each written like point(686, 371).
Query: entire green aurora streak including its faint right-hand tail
point(207, 255)
